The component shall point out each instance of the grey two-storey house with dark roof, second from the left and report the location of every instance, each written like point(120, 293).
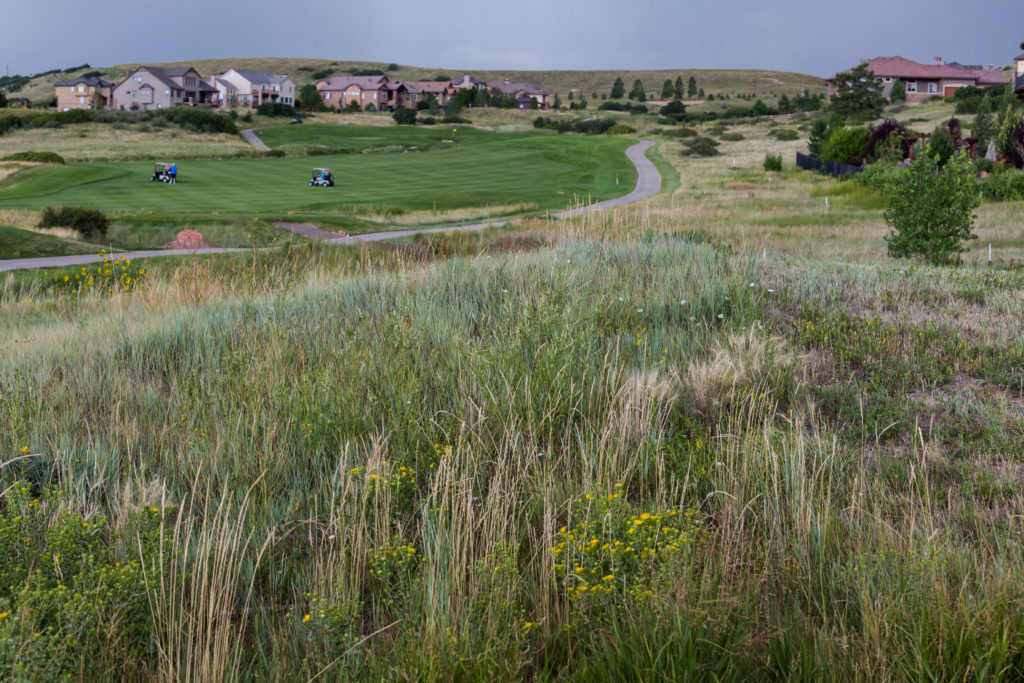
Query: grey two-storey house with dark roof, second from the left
point(155, 89)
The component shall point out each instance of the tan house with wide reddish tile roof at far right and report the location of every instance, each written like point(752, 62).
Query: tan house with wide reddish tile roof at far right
point(926, 81)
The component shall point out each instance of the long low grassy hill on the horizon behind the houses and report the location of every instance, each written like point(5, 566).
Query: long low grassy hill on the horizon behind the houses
point(718, 81)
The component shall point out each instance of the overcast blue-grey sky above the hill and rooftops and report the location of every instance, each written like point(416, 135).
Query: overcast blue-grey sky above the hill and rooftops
point(819, 37)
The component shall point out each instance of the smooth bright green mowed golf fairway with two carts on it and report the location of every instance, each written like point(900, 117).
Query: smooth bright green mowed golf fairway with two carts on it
point(478, 169)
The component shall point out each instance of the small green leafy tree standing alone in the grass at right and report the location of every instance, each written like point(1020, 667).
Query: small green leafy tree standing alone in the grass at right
point(932, 215)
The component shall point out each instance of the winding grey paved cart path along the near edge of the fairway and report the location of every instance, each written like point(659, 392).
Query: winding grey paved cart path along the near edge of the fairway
point(649, 185)
